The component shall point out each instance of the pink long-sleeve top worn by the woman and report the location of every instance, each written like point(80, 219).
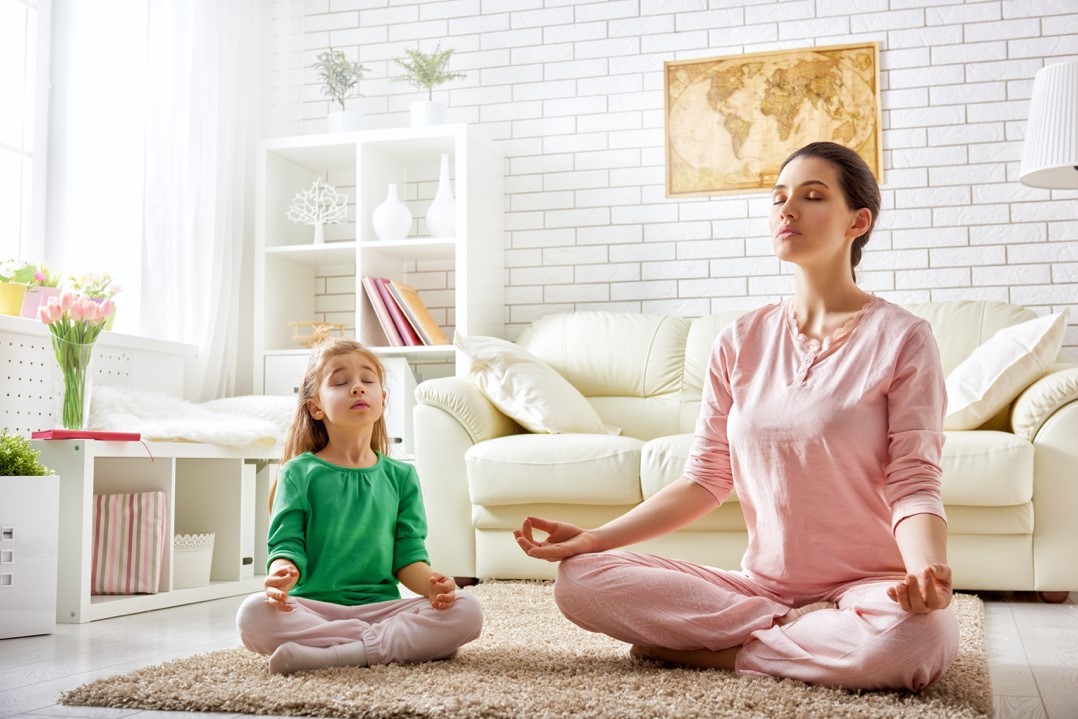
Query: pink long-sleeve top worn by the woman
point(830, 445)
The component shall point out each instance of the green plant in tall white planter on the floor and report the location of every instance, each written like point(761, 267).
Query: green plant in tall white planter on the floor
point(30, 518)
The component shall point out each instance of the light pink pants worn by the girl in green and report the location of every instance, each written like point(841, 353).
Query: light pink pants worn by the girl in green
point(396, 631)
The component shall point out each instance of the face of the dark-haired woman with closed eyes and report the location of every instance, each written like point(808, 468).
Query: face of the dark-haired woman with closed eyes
point(811, 223)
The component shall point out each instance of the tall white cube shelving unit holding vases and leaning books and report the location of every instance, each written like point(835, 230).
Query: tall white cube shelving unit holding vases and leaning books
point(363, 165)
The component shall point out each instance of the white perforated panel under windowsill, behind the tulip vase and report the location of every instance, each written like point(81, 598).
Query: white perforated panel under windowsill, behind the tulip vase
point(30, 382)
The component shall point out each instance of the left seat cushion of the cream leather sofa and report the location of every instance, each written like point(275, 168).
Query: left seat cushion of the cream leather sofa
point(566, 469)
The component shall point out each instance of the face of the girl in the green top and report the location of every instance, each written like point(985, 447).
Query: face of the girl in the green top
point(351, 392)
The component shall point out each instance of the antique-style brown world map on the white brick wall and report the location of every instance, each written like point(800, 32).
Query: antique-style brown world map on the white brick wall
point(733, 121)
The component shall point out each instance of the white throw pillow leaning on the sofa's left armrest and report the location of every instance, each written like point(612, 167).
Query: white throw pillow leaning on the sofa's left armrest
point(528, 390)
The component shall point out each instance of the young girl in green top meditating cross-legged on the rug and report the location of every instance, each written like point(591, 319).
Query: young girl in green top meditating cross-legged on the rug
point(348, 527)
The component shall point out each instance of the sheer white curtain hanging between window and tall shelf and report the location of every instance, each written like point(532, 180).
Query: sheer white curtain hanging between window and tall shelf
point(203, 82)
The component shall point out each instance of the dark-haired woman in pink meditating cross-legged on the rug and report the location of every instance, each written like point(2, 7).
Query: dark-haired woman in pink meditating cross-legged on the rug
point(825, 412)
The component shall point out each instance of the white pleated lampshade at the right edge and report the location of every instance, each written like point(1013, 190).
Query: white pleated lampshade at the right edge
point(1051, 154)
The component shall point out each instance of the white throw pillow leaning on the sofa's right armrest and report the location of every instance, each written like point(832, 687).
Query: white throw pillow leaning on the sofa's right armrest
point(998, 371)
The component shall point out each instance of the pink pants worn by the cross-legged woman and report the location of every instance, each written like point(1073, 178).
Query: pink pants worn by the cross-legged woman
point(867, 643)
